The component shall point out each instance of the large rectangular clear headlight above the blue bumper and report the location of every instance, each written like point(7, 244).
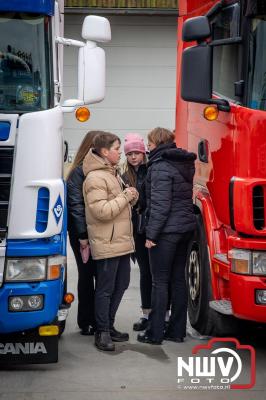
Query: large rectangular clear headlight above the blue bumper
point(25, 269)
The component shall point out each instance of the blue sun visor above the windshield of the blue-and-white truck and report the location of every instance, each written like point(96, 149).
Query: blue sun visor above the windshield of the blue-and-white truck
point(45, 7)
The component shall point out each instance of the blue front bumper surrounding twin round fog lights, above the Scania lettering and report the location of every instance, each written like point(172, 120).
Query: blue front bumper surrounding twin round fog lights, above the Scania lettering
point(19, 321)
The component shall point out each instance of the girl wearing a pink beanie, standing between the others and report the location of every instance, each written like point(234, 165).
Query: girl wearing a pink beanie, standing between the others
point(135, 175)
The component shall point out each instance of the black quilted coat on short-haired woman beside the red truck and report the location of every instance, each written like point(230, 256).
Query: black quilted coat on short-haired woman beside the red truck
point(169, 191)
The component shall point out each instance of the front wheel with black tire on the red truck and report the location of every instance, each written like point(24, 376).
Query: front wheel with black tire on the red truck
point(198, 281)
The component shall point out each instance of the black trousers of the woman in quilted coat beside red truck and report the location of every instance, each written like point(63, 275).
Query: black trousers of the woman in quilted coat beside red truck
point(168, 262)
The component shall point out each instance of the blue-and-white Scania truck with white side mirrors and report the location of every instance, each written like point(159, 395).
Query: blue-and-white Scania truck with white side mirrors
point(34, 301)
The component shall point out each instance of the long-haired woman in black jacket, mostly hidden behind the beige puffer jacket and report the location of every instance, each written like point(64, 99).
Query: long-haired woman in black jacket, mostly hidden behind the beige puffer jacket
point(78, 237)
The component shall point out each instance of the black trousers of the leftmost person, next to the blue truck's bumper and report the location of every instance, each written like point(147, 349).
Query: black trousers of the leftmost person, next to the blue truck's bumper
point(86, 286)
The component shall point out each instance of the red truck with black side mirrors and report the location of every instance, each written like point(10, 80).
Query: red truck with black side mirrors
point(221, 116)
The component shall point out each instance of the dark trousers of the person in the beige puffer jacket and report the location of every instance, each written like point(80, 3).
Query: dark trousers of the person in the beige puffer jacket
point(113, 276)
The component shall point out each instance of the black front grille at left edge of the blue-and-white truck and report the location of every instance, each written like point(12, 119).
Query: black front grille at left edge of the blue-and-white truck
point(6, 163)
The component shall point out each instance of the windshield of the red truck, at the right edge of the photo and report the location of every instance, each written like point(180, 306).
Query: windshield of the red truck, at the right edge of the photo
point(257, 64)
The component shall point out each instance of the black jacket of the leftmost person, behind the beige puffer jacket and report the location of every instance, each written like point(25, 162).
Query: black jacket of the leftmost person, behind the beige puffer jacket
point(75, 204)
